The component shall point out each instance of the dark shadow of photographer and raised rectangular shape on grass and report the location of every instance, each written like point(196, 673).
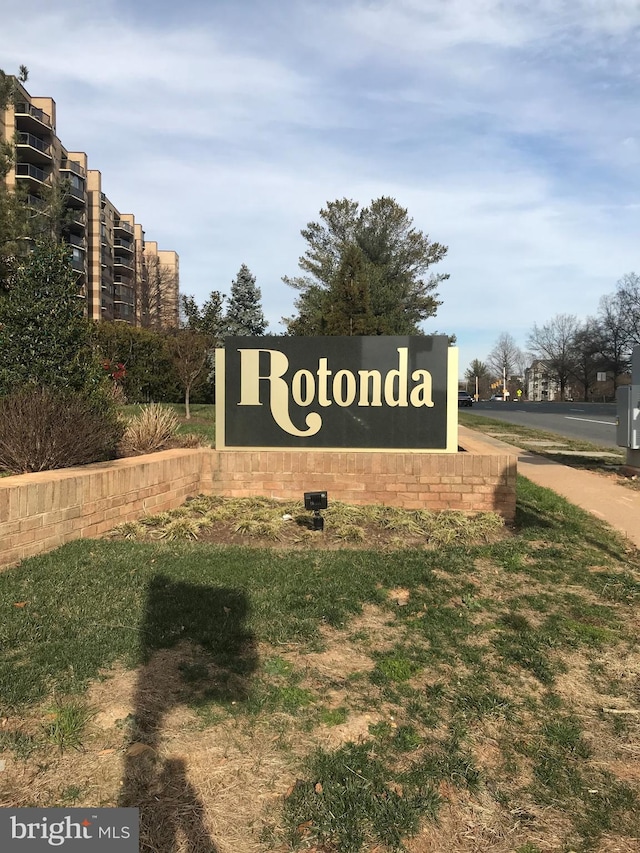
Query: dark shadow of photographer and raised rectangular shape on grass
point(193, 642)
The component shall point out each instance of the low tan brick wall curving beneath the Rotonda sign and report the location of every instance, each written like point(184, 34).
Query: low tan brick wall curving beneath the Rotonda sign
point(41, 511)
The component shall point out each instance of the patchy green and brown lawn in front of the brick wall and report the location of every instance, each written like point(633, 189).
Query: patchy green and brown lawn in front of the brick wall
point(471, 696)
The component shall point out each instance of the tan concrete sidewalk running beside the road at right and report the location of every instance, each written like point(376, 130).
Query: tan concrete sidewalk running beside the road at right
point(599, 495)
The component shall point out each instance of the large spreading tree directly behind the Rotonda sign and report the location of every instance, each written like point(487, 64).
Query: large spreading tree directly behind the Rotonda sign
point(395, 256)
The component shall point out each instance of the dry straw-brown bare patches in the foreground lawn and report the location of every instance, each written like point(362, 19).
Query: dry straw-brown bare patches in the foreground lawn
point(216, 786)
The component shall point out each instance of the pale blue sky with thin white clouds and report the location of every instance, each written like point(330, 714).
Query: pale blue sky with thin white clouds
point(509, 130)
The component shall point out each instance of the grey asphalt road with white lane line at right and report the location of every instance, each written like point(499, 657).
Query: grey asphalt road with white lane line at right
point(594, 422)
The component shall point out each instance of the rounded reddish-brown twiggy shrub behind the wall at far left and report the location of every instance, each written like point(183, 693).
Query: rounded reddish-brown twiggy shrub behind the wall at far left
point(42, 429)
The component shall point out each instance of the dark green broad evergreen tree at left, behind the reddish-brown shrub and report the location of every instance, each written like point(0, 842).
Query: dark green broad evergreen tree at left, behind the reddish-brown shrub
point(44, 338)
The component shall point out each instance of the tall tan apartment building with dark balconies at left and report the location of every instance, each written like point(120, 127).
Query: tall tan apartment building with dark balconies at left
point(120, 274)
